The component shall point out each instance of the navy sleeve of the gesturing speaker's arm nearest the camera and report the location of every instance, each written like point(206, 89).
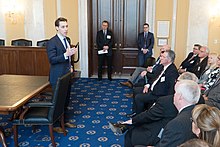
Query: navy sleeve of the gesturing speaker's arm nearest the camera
point(53, 57)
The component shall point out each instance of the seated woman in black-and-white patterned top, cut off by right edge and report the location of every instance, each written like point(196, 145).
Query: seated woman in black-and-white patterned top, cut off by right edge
point(212, 76)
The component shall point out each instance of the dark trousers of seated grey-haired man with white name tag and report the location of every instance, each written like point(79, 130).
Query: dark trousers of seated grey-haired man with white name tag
point(142, 100)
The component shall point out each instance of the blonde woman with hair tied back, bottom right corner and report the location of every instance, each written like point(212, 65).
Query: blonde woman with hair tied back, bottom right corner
point(206, 124)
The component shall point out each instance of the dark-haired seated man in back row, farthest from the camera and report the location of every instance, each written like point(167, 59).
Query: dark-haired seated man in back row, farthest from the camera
point(190, 60)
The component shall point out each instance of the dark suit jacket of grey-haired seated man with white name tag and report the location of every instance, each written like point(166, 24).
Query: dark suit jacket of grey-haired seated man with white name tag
point(165, 85)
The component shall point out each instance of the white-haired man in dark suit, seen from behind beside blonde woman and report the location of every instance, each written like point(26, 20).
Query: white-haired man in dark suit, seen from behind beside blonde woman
point(179, 130)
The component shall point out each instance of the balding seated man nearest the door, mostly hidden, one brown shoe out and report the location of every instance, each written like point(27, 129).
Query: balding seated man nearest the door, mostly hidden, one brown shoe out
point(136, 76)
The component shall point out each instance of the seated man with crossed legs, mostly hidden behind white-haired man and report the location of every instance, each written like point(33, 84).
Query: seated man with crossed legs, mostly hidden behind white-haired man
point(144, 128)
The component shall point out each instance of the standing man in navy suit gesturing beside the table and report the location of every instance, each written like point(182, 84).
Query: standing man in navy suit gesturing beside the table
point(59, 55)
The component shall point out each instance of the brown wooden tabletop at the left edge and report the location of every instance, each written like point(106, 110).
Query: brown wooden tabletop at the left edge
point(16, 90)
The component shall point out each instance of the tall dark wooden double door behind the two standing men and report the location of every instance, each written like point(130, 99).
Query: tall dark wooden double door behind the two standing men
point(126, 19)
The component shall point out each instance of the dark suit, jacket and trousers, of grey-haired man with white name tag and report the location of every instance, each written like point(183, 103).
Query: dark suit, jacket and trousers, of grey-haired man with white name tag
point(163, 87)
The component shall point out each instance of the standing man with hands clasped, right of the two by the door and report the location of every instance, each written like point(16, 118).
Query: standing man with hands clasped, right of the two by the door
point(145, 45)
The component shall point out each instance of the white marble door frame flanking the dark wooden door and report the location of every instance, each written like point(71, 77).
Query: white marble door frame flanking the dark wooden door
point(85, 32)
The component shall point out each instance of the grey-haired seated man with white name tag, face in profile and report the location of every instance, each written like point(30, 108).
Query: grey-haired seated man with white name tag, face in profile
point(162, 85)
